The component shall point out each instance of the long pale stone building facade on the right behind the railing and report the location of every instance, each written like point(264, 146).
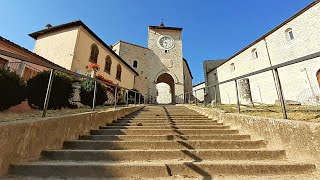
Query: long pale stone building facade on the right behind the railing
point(297, 37)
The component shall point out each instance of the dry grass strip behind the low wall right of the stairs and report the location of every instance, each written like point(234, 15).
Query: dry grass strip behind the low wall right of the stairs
point(302, 113)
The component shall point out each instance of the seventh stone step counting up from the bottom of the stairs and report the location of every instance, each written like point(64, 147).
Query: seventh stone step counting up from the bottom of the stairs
point(162, 124)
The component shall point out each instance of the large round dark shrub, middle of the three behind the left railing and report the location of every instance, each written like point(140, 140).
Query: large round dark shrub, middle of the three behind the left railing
point(60, 93)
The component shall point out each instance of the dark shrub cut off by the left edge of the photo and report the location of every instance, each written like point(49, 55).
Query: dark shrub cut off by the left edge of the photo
point(12, 91)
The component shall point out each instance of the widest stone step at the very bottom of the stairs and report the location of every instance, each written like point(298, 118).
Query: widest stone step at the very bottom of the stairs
point(203, 169)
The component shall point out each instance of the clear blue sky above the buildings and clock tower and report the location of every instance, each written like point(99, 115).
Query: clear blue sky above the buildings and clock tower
point(213, 29)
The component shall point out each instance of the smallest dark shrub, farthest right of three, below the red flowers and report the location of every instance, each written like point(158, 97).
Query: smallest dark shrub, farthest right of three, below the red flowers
point(86, 93)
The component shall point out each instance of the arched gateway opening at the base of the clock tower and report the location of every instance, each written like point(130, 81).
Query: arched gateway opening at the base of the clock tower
point(162, 98)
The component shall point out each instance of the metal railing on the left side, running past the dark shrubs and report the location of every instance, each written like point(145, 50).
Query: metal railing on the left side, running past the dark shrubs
point(142, 99)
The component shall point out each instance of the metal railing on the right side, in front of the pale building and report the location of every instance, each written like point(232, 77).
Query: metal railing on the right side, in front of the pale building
point(188, 99)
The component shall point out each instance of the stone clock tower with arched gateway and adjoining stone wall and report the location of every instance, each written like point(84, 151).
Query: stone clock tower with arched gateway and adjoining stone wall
point(162, 62)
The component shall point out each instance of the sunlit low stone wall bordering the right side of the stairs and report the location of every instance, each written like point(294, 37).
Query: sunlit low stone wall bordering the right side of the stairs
point(300, 139)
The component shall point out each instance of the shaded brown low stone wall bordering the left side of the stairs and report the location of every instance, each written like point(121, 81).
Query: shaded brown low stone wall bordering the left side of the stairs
point(24, 140)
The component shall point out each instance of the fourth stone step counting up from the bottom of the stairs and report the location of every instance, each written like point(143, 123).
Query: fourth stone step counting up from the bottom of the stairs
point(166, 137)
